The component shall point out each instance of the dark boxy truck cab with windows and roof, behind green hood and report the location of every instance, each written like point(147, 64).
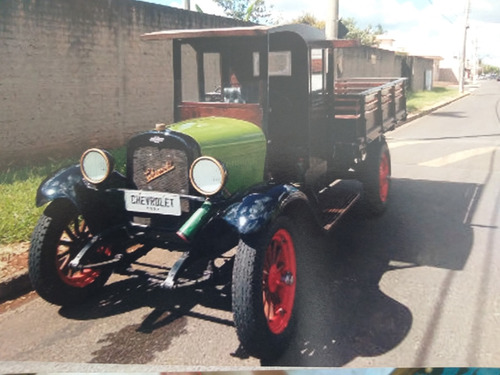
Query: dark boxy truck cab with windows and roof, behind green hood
point(280, 79)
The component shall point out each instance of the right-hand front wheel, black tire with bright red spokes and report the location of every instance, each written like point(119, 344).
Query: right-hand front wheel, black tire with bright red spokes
point(261, 288)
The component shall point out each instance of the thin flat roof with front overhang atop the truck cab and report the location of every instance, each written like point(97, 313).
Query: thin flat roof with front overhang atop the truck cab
point(307, 33)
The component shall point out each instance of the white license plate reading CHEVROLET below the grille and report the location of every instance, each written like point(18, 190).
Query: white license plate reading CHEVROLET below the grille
point(153, 202)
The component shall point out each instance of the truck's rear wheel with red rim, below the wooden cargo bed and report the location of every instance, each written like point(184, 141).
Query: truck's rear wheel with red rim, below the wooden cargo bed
point(376, 179)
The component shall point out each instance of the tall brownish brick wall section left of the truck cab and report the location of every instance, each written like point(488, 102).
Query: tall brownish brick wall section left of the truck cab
point(74, 73)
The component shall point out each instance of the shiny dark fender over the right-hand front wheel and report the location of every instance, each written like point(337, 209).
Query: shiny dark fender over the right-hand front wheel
point(256, 210)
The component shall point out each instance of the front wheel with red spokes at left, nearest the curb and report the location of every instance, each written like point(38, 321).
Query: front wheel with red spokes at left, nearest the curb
point(58, 237)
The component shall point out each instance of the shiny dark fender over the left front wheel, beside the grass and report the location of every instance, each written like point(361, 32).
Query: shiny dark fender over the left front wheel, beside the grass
point(102, 206)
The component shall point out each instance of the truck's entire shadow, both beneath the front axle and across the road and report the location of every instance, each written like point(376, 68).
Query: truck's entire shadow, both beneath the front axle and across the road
point(343, 313)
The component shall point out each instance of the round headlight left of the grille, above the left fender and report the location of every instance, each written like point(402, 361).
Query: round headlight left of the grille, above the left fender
point(96, 165)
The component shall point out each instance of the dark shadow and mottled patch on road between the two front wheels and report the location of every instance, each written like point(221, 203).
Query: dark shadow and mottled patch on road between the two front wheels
point(165, 319)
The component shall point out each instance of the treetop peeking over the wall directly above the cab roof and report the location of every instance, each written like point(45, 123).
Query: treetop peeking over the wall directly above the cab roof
point(246, 10)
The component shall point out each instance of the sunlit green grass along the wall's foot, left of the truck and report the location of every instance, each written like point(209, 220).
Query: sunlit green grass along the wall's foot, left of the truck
point(18, 186)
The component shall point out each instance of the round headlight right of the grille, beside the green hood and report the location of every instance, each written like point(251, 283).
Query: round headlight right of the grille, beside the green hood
point(207, 175)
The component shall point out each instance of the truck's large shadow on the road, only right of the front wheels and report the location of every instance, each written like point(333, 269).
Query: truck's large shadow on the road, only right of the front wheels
point(344, 313)
